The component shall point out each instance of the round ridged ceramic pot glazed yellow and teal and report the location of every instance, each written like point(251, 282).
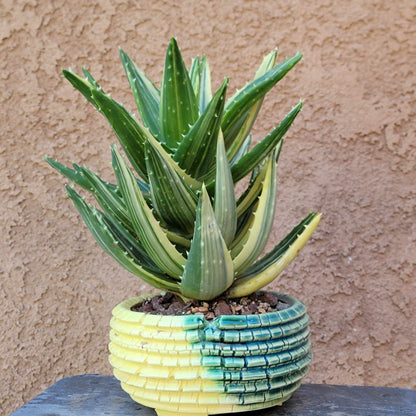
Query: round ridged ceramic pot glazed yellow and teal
point(187, 365)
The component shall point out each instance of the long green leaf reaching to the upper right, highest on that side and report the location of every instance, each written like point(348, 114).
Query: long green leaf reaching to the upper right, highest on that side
point(238, 106)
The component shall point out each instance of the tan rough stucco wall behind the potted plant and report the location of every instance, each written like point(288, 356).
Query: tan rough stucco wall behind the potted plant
point(351, 154)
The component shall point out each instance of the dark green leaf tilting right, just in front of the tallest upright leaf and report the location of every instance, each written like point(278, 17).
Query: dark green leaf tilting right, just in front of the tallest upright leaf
point(196, 153)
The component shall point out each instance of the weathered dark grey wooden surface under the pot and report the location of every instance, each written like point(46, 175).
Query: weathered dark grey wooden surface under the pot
point(95, 395)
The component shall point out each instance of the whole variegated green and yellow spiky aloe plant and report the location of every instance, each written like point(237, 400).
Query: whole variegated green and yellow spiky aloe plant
point(176, 222)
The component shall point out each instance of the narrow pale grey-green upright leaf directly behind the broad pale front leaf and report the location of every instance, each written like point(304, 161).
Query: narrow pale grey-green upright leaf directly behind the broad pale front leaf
point(224, 201)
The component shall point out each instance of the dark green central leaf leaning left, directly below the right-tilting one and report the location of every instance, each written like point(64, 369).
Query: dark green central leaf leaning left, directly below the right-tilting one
point(173, 200)
